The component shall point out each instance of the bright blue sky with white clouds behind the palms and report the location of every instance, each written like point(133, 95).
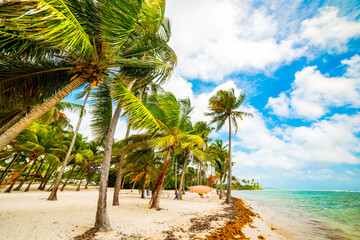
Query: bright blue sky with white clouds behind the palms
point(298, 62)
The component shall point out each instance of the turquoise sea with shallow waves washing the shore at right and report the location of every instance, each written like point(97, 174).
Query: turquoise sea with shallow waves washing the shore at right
point(309, 214)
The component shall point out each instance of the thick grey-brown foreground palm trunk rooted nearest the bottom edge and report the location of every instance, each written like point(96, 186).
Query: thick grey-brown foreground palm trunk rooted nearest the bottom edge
point(102, 219)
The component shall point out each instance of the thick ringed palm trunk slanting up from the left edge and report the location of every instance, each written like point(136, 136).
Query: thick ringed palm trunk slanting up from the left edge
point(36, 113)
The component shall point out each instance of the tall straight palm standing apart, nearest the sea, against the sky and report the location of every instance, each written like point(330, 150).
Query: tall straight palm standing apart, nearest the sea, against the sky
point(223, 107)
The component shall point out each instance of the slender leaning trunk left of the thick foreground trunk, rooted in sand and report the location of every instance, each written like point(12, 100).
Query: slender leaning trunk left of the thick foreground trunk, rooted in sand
point(53, 194)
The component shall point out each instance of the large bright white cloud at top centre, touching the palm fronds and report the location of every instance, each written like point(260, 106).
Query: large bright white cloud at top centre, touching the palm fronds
point(216, 38)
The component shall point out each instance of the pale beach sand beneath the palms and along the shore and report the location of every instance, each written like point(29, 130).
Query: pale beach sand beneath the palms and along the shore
point(28, 215)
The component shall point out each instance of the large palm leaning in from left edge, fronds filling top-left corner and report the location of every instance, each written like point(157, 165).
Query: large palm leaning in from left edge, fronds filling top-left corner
point(48, 49)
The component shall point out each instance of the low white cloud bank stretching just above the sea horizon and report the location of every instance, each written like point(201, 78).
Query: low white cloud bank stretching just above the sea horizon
point(325, 143)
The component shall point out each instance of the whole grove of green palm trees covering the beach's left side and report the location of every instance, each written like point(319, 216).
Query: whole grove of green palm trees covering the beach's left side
point(115, 55)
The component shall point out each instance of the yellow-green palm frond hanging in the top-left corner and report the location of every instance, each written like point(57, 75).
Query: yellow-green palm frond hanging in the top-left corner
point(63, 29)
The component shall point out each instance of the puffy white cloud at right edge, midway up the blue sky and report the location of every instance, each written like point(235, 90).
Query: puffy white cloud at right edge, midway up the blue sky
point(313, 93)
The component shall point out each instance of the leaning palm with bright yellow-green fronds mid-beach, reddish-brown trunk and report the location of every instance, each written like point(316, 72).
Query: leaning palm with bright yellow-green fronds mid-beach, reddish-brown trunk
point(172, 116)
